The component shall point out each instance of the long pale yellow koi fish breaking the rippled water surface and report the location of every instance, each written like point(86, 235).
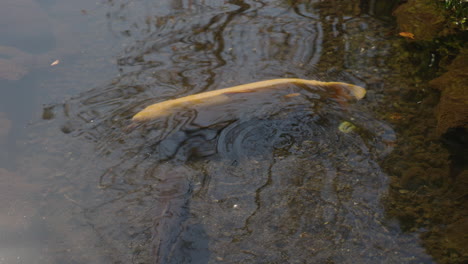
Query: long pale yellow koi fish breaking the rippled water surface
point(217, 97)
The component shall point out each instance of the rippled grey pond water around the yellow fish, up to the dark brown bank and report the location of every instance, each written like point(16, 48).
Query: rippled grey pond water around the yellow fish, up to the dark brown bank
point(278, 182)
